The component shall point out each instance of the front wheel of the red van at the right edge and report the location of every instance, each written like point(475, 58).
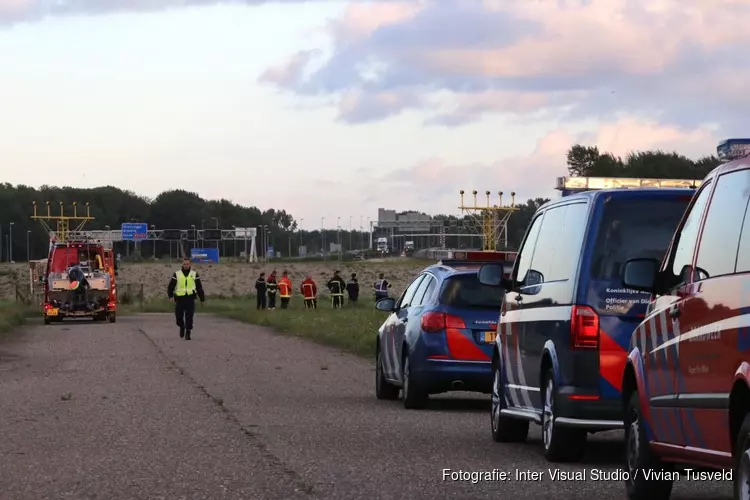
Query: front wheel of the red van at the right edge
point(639, 458)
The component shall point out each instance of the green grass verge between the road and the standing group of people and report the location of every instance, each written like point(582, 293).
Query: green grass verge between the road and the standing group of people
point(351, 328)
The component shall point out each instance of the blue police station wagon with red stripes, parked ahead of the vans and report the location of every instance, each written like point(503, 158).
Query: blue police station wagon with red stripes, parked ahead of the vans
point(440, 333)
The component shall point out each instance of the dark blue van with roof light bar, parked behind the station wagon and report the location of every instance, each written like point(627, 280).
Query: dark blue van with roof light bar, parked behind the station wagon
point(566, 320)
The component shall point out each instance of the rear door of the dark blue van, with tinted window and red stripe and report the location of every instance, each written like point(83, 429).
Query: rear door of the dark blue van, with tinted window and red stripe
point(632, 224)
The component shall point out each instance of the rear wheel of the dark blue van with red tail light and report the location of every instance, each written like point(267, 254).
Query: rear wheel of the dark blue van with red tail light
point(561, 444)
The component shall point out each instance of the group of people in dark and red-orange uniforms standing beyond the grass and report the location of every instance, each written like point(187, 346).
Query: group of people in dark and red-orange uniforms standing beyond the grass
point(267, 289)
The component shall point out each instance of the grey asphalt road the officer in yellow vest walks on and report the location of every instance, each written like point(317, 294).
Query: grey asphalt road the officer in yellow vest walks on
point(131, 411)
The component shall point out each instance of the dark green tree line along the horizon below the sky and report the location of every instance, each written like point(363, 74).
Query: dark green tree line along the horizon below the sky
point(179, 209)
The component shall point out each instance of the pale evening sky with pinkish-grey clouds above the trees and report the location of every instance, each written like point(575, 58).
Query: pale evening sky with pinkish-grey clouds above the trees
point(335, 108)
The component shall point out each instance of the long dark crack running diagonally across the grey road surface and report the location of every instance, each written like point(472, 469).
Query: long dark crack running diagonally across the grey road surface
point(253, 437)
